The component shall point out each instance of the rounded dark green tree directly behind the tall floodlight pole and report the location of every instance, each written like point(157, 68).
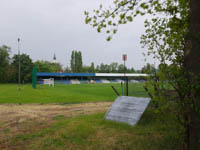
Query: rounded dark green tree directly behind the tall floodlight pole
point(26, 67)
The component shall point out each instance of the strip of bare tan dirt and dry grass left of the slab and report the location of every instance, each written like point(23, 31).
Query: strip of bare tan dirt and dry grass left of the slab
point(16, 119)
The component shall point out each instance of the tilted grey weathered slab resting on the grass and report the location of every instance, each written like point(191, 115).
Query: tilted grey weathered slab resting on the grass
point(127, 109)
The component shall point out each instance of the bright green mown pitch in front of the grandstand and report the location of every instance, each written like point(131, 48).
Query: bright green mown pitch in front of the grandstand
point(62, 93)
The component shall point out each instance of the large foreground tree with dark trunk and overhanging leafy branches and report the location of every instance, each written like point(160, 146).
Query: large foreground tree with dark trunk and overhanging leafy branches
point(172, 37)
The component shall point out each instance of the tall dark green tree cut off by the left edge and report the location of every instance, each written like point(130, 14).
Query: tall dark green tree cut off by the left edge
point(4, 63)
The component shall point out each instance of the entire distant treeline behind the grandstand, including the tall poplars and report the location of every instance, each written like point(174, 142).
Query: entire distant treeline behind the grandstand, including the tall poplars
point(9, 66)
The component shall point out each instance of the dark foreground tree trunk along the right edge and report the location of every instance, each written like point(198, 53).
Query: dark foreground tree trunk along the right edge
point(192, 62)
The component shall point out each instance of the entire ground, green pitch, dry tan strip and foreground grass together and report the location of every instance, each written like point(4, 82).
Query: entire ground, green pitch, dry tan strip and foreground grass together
point(46, 118)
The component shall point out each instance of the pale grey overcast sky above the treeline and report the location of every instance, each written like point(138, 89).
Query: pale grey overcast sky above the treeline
point(46, 27)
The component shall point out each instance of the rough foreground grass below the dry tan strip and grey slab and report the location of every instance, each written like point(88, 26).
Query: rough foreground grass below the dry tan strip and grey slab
point(93, 132)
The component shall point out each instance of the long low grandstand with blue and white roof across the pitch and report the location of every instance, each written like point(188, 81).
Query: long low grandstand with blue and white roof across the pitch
point(85, 78)
